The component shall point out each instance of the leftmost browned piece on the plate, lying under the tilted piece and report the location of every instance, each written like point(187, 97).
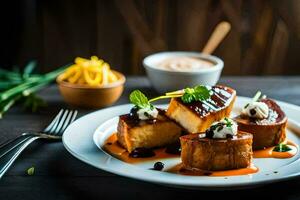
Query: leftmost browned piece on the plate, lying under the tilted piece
point(134, 133)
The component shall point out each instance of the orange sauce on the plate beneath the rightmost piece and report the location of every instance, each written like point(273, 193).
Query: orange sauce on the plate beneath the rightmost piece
point(269, 153)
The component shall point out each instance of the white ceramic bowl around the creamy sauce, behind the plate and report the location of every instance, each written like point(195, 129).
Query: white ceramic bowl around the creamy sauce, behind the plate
point(165, 80)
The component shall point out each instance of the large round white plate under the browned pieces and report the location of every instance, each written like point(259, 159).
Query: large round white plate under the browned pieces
point(97, 126)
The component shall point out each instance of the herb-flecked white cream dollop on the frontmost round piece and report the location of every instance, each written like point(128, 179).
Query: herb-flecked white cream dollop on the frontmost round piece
point(223, 129)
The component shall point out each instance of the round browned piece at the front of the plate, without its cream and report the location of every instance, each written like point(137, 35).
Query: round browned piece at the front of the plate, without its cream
point(216, 154)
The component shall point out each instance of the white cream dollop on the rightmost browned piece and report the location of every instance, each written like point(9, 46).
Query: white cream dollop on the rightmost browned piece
point(258, 110)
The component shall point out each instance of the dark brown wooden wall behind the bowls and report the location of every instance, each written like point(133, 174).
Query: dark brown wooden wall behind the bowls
point(264, 40)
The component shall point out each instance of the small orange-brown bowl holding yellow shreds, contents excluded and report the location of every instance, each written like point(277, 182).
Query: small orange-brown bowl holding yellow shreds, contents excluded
point(91, 97)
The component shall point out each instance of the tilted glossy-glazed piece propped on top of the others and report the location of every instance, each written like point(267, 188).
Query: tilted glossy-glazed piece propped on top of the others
point(197, 116)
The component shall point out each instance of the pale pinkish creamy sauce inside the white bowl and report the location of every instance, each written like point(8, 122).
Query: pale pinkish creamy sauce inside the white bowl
point(184, 63)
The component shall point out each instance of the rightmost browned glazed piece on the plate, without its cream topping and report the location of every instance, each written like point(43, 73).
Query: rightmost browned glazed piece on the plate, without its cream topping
point(266, 132)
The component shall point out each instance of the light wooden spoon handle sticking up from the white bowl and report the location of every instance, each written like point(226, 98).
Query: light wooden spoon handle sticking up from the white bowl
point(217, 36)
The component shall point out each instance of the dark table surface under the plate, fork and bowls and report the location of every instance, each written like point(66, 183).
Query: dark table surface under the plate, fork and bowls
point(58, 175)
